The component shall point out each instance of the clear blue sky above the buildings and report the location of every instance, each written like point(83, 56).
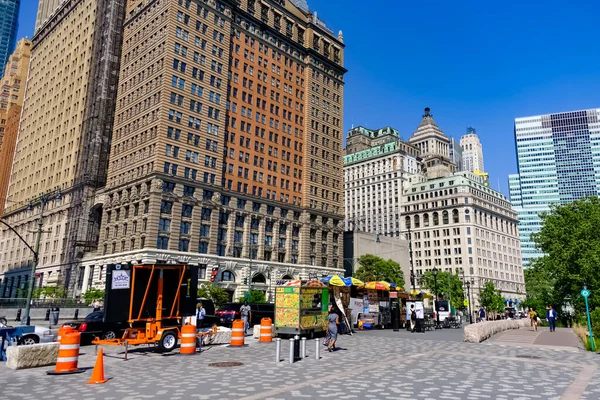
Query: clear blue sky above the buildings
point(474, 63)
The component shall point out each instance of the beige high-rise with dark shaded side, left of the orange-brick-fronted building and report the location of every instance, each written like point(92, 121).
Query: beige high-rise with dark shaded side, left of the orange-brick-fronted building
point(63, 143)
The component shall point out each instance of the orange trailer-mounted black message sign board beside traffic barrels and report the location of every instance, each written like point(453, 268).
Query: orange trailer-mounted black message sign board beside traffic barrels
point(153, 299)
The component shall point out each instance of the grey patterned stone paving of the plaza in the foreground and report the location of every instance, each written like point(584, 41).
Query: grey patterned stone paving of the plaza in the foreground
point(368, 365)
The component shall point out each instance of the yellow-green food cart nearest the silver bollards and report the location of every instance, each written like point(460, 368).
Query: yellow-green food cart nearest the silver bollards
point(301, 308)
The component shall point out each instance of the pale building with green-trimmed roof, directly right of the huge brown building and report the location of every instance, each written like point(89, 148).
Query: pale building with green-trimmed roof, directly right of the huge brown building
point(377, 164)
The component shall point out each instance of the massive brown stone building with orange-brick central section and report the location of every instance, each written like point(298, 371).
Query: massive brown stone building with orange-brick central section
point(227, 146)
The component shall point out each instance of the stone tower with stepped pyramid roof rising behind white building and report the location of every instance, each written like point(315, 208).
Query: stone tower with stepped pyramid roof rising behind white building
point(434, 146)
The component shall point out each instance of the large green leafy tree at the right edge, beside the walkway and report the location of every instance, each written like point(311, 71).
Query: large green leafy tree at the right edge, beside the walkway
point(570, 240)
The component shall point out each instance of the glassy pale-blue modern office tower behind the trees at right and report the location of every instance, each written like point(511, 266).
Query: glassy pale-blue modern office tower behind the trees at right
point(558, 157)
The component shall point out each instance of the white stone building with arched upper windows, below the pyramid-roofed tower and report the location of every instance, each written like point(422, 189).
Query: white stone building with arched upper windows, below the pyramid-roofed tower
point(461, 226)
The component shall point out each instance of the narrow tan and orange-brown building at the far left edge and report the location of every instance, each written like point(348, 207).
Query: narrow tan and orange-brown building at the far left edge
point(11, 99)
